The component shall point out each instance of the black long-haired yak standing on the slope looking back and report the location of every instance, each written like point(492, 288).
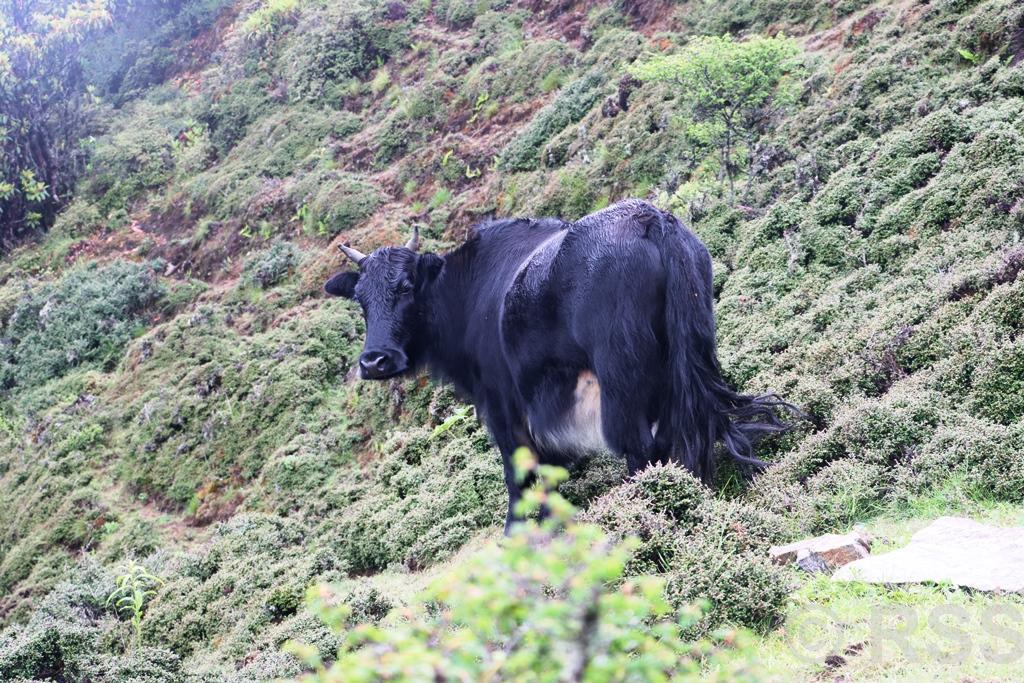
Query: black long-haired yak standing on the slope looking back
point(569, 338)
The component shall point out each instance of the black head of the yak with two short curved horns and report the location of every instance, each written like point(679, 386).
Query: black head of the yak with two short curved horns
point(391, 286)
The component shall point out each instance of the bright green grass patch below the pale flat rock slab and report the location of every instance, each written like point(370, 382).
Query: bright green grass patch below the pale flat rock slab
point(915, 633)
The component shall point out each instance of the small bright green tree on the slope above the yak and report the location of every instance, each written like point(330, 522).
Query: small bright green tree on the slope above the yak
point(737, 88)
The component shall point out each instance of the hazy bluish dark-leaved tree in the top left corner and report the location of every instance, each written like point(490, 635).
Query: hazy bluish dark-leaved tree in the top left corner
point(58, 63)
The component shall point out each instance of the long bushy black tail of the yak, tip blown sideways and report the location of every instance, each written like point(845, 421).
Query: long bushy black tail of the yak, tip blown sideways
point(702, 409)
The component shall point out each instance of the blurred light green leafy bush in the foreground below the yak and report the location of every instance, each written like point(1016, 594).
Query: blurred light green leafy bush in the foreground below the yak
point(548, 604)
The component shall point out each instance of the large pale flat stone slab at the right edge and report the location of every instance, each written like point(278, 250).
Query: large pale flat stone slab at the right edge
point(956, 550)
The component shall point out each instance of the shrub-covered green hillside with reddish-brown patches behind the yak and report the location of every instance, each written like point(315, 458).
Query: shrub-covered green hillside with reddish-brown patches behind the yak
point(177, 392)
